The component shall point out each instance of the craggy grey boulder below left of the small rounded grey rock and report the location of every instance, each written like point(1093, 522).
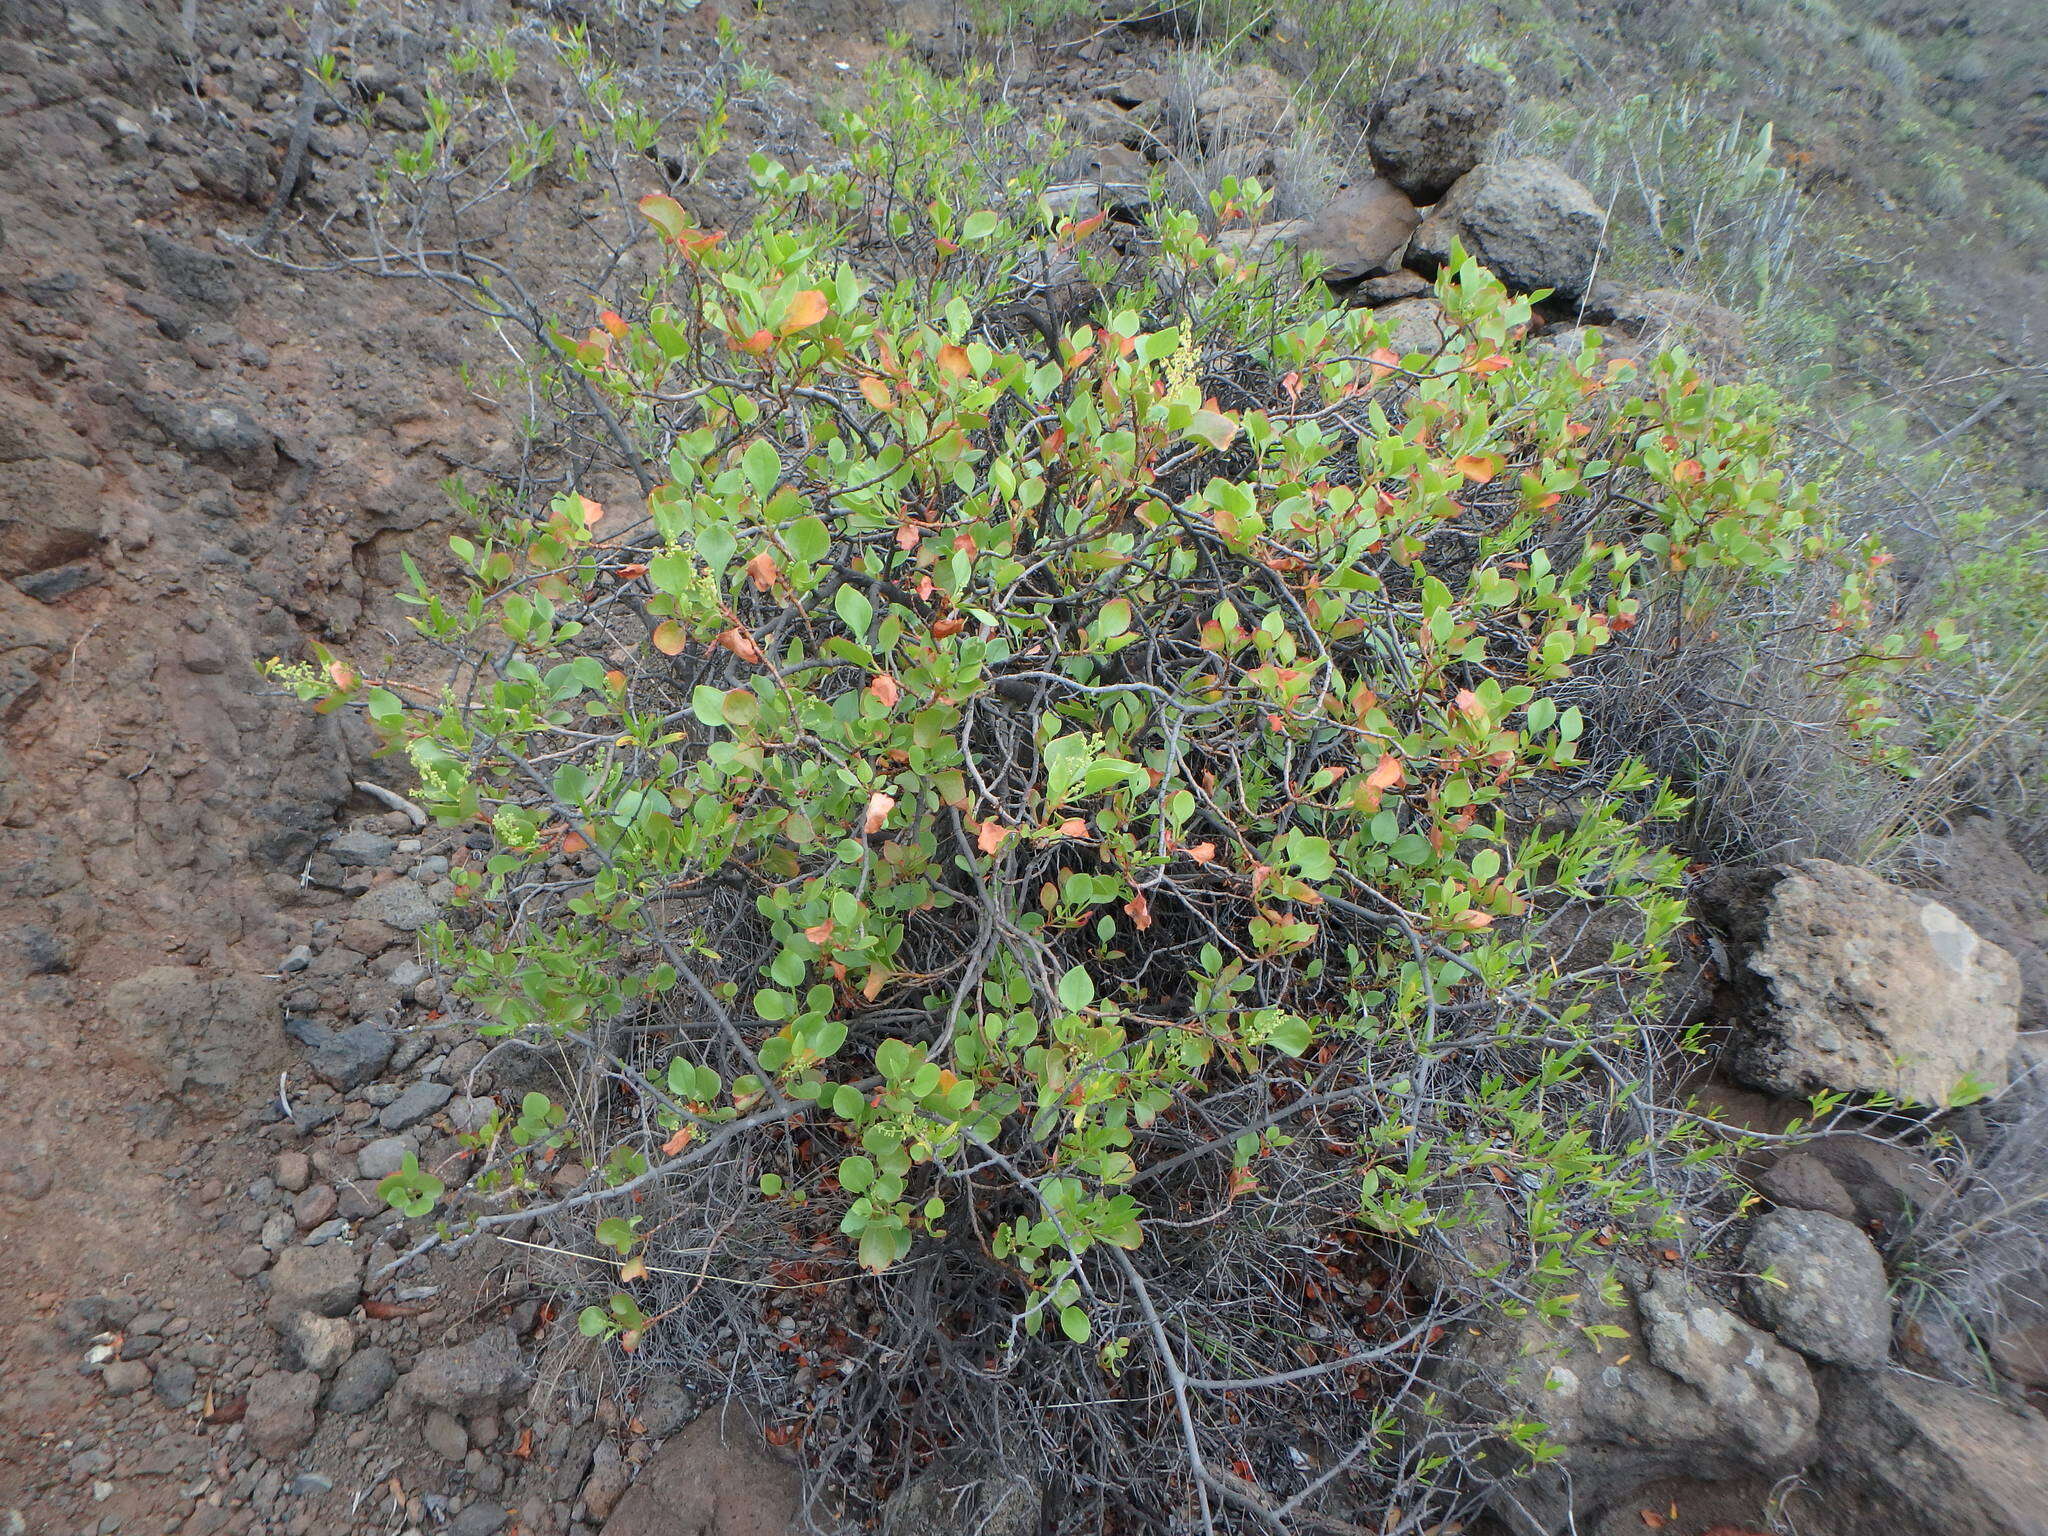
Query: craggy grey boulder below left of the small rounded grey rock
point(1668, 1383)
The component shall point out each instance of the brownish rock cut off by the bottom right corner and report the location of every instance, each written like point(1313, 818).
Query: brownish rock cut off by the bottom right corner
point(1910, 1457)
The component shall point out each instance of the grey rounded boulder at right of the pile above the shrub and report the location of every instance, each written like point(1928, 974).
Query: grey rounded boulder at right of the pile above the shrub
point(1525, 220)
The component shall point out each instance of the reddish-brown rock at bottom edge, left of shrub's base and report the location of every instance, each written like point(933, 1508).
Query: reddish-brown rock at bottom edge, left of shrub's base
point(716, 1478)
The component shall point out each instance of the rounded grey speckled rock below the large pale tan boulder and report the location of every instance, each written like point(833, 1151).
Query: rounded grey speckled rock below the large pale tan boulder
point(1820, 1285)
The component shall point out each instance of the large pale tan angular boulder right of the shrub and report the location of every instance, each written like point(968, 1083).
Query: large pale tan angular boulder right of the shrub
point(1854, 986)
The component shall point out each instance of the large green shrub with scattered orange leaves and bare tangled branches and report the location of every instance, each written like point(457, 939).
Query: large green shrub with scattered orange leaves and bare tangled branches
point(1082, 857)
